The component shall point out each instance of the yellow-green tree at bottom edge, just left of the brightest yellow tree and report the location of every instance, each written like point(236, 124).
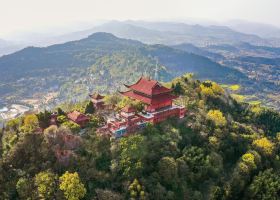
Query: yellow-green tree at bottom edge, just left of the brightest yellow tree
point(46, 184)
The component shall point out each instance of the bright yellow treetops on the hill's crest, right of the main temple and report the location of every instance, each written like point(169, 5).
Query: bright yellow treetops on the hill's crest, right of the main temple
point(209, 88)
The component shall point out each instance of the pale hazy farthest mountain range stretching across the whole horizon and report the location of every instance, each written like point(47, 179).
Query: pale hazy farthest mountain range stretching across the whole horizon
point(168, 33)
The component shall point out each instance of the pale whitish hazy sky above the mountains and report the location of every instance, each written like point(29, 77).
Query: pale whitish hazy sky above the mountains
point(59, 17)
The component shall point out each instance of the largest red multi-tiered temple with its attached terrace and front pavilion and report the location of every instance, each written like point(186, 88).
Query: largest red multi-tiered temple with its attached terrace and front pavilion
point(159, 106)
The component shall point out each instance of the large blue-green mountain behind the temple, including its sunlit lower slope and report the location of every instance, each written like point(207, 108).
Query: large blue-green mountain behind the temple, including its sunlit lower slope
point(99, 62)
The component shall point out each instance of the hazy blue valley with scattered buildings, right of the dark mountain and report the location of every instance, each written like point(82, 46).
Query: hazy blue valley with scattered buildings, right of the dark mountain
point(259, 63)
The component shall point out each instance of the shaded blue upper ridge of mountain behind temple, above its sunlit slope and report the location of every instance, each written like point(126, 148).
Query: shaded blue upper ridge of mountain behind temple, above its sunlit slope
point(85, 52)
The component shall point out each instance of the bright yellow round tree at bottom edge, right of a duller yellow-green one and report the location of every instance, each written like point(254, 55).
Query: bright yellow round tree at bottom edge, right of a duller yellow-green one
point(71, 186)
